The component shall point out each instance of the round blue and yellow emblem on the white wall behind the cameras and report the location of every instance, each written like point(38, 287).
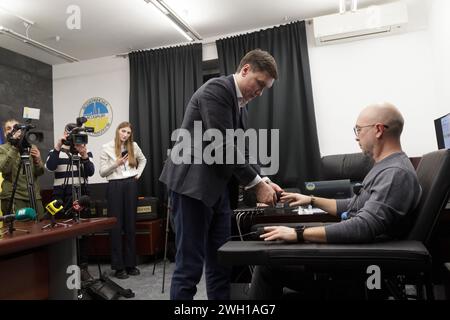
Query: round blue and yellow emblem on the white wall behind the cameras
point(98, 112)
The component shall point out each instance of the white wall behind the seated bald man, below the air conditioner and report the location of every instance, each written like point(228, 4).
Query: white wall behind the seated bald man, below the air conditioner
point(410, 70)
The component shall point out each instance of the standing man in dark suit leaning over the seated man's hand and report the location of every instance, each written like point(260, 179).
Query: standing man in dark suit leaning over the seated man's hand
point(199, 188)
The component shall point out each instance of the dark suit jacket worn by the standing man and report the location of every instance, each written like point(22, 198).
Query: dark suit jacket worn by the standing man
point(215, 105)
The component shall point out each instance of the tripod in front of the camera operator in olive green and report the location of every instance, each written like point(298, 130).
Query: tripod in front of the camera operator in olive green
point(25, 165)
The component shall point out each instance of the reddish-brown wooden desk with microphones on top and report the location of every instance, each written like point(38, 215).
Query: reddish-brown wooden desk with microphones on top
point(33, 265)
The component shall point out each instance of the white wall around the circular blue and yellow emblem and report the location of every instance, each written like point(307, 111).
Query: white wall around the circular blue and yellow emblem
point(74, 83)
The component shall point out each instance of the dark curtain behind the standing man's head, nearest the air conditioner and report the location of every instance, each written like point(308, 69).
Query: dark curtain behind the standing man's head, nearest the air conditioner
point(288, 105)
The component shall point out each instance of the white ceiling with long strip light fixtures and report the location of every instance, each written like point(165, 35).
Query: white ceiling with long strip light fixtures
point(111, 27)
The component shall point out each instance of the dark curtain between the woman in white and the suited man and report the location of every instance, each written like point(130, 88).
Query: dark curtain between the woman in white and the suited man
point(161, 83)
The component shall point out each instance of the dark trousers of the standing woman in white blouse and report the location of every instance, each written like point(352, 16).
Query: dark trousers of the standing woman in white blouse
point(122, 204)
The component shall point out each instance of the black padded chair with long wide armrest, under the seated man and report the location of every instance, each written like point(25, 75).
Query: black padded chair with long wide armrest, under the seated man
point(402, 262)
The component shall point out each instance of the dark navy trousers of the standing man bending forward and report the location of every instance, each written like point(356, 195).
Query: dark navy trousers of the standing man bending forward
point(199, 232)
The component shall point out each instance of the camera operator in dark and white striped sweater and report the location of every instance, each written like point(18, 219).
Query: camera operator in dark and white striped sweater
point(58, 161)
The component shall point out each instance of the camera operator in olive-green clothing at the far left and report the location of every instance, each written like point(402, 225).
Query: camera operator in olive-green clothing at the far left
point(9, 164)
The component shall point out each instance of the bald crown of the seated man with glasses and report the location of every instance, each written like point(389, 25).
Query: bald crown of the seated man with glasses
point(387, 114)
